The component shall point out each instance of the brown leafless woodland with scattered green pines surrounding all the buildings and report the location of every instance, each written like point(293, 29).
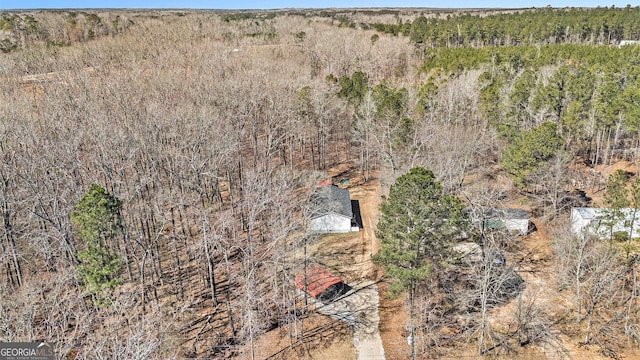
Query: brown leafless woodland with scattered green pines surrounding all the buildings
point(158, 168)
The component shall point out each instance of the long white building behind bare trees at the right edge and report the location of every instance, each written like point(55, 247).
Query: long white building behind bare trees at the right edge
point(603, 222)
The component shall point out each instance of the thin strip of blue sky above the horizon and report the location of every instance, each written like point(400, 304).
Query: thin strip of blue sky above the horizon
point(279, 4)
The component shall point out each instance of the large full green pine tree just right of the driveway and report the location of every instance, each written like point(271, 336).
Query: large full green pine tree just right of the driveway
point(417, 224)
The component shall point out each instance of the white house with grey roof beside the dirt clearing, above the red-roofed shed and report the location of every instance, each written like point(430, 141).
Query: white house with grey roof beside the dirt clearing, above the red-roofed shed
point(333, 212)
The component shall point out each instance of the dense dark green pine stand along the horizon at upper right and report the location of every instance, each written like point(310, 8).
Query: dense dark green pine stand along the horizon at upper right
point(520, 27)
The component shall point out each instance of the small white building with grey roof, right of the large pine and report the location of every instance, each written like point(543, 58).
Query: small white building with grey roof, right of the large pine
point(512, 219)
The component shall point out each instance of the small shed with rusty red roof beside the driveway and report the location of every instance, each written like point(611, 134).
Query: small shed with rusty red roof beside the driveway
point(321, 284)
